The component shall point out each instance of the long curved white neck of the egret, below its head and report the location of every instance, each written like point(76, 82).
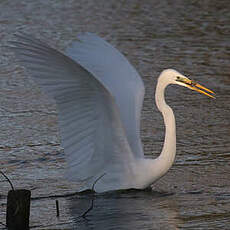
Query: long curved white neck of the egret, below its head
point(167, 156)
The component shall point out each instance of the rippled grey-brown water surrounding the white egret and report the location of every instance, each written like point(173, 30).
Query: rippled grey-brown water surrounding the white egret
point(190, 36)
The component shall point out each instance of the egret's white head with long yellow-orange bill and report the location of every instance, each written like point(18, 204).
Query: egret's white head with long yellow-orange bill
point(174, 77)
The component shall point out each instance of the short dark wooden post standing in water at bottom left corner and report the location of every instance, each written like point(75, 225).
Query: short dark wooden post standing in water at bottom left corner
point(18, 209)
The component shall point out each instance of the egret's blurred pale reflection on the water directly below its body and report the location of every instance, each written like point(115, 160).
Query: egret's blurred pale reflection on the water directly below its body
point(126, 210)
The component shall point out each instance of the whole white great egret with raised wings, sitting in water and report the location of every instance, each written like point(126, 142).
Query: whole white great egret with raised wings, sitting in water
point(99, 98)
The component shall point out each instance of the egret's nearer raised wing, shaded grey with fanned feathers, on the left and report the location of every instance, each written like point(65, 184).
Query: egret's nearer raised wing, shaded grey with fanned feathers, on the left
point(92, 133)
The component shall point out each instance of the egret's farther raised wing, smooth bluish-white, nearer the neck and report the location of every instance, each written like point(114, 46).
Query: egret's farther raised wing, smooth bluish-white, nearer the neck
point(114, 71)
